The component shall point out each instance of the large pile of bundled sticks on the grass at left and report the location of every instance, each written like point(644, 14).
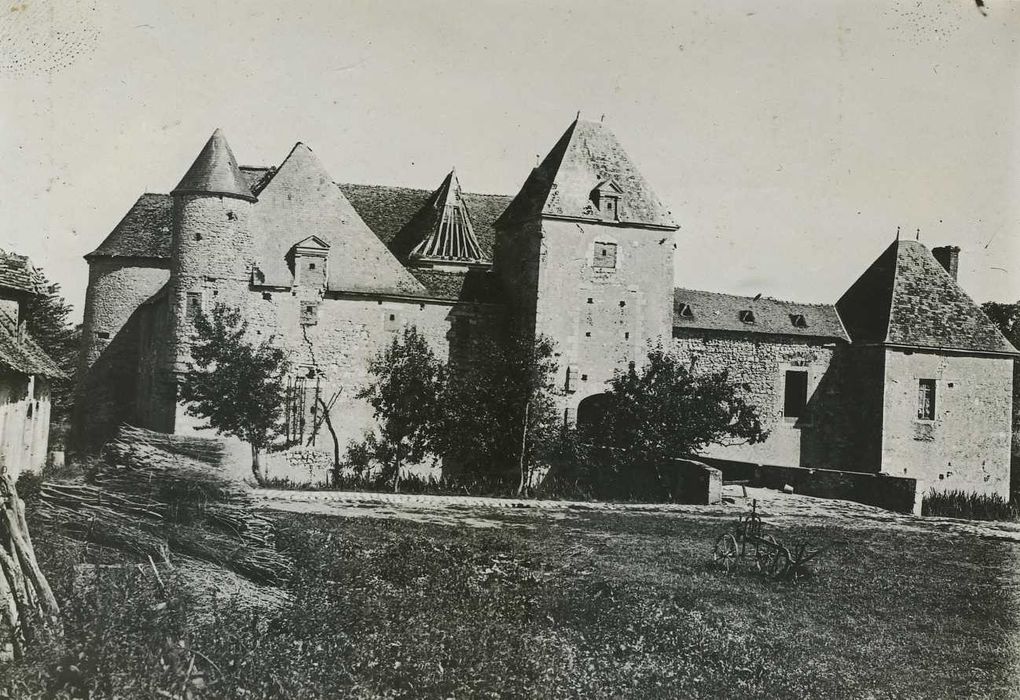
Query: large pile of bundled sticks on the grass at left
point(152, 495)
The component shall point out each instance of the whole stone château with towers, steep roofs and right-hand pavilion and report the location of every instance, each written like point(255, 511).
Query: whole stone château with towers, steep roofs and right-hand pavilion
point(903, 376)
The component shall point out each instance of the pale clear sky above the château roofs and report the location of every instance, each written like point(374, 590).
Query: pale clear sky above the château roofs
point(790, 138)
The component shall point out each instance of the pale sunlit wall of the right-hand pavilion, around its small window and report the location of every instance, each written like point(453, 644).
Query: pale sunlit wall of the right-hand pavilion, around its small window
point(967, 445)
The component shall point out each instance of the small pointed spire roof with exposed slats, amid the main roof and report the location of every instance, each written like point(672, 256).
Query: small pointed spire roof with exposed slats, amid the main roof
point(449, 236)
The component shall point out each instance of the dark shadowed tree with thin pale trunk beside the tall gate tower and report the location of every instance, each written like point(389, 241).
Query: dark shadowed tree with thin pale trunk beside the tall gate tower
point(499, 410)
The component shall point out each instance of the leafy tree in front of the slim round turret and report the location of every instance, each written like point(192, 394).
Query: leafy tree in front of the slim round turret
point(236, 386)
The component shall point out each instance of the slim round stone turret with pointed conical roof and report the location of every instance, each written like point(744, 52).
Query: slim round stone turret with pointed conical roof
point(213, 254)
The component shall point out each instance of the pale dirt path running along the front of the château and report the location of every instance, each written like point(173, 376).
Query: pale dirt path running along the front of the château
point(500, 513)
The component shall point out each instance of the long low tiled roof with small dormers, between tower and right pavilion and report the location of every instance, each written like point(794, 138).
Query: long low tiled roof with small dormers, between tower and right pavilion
point(715, 312)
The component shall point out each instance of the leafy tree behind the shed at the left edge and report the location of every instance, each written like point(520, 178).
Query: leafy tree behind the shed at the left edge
point(48, 322)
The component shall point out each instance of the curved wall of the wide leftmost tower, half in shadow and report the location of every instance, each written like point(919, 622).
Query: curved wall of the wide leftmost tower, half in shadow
point(107, 393)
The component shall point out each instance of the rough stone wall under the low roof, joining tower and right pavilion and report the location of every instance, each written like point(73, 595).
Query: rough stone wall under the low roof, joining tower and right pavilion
point(823, 436)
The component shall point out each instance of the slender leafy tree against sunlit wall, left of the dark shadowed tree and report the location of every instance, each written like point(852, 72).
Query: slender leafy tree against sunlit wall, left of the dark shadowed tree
point(405, 397)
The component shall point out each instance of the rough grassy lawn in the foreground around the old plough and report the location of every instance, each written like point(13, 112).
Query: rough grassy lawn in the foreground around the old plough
point(599, 606)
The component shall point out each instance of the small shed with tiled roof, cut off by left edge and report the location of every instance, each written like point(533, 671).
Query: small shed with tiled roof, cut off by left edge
point(26, 373)
